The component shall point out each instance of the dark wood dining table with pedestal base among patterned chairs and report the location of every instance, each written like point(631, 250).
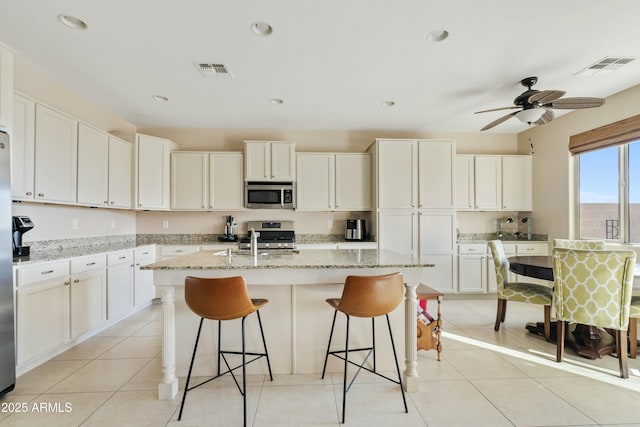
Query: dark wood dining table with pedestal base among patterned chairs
point(589, 341)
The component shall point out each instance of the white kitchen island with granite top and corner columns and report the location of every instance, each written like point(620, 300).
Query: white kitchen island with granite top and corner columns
point(296, 320)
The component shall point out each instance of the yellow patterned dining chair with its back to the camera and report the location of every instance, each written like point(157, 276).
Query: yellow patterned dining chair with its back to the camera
point(594, 288)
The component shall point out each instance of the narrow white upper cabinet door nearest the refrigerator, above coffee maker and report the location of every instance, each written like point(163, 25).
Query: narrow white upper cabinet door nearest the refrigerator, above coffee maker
point(22, 148)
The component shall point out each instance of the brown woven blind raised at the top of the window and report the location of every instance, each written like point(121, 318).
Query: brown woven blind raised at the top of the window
point(620, 132)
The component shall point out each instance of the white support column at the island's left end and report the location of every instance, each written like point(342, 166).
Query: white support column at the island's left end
point(168, 388)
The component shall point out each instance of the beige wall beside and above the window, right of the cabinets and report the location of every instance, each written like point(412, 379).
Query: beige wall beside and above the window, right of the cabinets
point(553, 165)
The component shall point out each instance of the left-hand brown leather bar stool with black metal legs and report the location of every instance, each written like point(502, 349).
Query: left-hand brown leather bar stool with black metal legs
point(223, 299)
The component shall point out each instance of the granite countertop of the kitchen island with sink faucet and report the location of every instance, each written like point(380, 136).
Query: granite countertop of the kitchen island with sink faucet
point(303, 259)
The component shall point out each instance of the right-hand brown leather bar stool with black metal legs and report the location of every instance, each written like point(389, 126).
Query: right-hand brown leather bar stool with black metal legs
point(367, 297)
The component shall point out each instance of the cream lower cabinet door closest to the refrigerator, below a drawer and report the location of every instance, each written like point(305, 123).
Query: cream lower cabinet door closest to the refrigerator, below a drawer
point(42, 318)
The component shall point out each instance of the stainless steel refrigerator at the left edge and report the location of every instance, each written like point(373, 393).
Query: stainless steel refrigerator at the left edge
point(7, 337)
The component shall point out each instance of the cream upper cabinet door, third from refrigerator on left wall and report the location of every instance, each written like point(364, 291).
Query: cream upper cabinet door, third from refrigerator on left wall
point(93, 166)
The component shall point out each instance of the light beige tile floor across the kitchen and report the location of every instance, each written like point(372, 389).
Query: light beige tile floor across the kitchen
point(508, 378)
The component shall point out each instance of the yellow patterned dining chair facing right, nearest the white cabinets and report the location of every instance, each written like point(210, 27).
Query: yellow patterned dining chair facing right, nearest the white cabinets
point(518, 291)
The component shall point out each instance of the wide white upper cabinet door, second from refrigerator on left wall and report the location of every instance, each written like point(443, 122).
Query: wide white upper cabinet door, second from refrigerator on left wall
point(56, 149)
